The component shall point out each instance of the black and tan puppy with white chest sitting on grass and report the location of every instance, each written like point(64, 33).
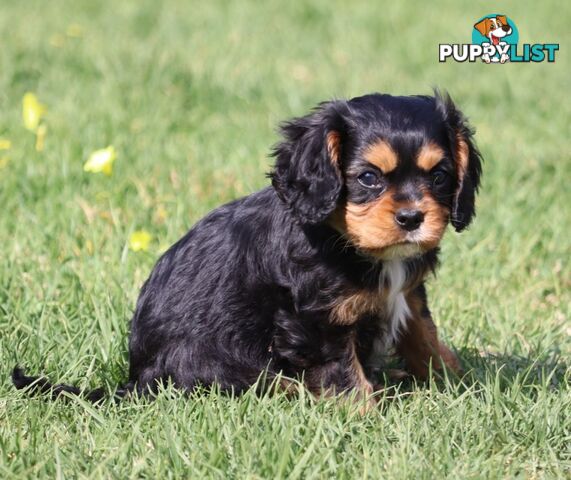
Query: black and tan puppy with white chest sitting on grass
point(319, 275)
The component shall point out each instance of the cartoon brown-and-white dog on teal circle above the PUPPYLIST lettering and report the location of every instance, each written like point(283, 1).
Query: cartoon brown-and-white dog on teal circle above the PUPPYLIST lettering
point(494, 30)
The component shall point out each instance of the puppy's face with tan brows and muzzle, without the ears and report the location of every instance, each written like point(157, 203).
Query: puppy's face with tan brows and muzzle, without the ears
point(398, 194)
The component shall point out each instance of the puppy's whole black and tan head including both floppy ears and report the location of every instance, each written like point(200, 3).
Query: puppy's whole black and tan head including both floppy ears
point(389, 173)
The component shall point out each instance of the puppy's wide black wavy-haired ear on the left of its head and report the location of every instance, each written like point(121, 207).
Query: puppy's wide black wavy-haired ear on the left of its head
point(307, 174)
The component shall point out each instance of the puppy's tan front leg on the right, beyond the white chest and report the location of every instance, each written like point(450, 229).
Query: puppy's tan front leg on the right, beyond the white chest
point(418, 344)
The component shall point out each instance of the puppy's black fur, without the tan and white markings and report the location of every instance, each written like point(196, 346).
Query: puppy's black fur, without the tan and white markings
point(251, 286)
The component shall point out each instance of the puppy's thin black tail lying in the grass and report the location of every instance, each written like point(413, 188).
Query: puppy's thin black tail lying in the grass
point(41, 385)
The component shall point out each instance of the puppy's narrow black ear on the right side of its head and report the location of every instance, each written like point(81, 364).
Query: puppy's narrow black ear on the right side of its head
point(467, 159)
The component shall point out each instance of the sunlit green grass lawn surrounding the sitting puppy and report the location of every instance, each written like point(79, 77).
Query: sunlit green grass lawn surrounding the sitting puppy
point(189, 94)
